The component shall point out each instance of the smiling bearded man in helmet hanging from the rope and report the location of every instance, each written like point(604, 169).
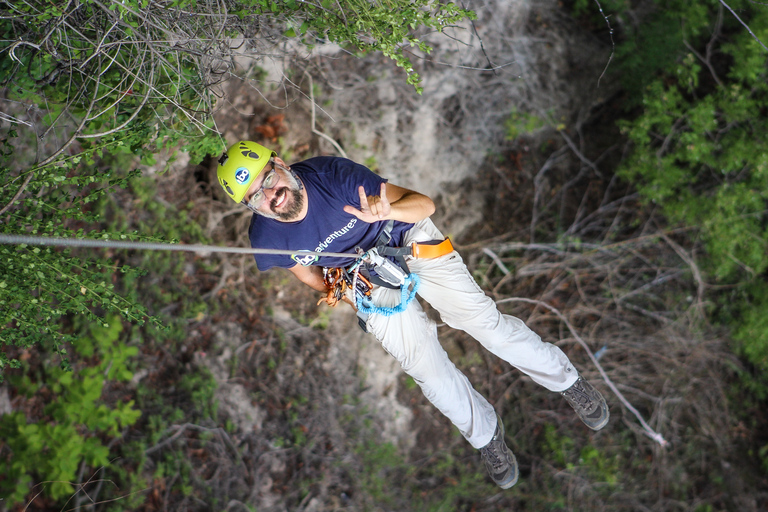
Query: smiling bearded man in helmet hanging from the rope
point(333, 205)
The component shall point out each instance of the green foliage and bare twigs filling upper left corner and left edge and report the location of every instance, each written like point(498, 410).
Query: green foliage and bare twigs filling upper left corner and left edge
point(117, 82)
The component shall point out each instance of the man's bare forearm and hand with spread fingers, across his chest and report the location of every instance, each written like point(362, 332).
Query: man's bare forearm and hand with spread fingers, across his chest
point(395, 203)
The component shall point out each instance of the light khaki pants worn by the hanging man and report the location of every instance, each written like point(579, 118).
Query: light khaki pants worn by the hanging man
point(411, 338)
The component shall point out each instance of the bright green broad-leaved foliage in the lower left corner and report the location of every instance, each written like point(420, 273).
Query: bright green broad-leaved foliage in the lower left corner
point(76, 423)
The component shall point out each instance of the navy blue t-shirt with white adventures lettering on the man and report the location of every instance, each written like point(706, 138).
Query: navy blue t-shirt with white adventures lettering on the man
point(331, 184)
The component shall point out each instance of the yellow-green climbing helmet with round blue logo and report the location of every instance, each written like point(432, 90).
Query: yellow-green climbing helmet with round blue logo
point(240, 165)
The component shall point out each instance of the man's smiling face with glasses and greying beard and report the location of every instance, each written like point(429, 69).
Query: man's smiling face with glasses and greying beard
point(277, 194)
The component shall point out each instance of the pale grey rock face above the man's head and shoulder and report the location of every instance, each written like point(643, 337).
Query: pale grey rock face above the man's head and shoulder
point(518, 54)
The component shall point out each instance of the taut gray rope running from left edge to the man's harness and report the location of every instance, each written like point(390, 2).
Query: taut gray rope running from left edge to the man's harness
point(155, 246)
